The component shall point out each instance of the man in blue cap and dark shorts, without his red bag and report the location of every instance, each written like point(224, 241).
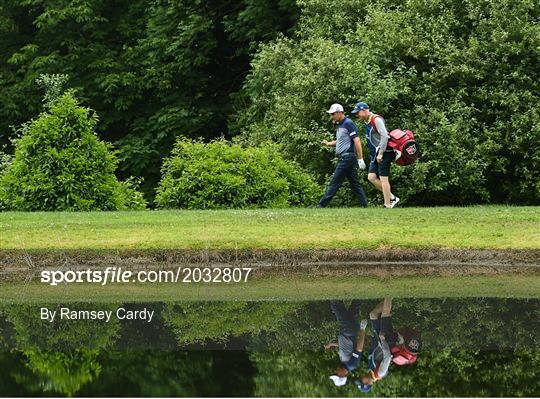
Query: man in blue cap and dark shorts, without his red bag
point(381, 155)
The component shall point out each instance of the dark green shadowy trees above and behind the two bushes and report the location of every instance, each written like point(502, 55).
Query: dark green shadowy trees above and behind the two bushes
point(151, 69)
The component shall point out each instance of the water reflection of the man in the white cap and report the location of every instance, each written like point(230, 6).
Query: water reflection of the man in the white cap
point(350, 339)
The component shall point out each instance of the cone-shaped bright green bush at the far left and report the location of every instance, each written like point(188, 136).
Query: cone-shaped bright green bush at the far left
point(60, 164)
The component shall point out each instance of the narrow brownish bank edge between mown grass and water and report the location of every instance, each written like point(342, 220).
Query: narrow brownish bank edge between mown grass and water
point(14, 259)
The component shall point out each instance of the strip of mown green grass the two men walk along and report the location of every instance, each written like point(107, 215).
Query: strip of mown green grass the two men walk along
point(482, 227)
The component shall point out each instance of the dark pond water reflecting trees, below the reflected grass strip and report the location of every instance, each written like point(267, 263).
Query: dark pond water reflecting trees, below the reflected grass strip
point(470, 347)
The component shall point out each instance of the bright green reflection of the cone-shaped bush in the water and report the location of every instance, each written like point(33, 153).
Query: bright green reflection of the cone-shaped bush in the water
point(62, 356)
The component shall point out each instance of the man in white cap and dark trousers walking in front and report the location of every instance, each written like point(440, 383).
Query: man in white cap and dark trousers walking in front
point(349, 152)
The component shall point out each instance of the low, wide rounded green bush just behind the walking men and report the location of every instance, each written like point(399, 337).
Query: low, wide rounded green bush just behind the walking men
point(224, 175)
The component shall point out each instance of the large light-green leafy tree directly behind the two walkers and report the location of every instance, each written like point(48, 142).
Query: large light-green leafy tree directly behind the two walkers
point(462, 74)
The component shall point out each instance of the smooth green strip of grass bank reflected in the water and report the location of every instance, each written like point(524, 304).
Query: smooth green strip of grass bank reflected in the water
point(285, 288)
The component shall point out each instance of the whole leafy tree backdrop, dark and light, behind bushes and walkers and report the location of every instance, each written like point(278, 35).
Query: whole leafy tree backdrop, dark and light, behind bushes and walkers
point(463, 74)
